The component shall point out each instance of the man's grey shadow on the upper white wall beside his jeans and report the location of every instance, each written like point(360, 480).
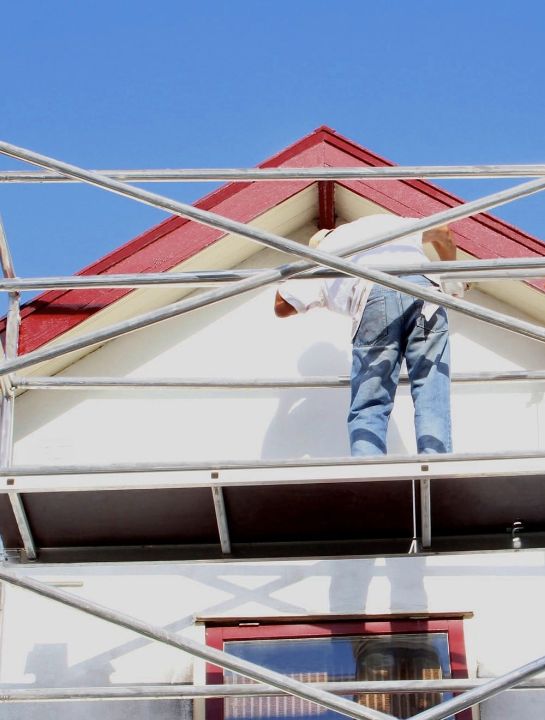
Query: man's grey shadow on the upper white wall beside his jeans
point(312, 422)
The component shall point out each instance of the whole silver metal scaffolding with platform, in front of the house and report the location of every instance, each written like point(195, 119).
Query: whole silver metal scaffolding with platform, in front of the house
point(16, 479)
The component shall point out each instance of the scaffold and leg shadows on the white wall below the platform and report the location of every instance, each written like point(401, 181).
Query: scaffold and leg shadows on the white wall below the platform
point(349, 585)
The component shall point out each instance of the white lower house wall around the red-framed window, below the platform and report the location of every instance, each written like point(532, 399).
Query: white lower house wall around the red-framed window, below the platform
point(46, 644)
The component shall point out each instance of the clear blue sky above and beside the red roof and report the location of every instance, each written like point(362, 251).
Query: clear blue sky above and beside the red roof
point(135, 84)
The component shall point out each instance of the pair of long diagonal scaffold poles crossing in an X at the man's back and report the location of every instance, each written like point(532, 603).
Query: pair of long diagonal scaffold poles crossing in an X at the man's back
point(264, 278)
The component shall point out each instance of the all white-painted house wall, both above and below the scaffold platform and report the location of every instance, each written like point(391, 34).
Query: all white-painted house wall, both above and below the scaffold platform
point(48, 645)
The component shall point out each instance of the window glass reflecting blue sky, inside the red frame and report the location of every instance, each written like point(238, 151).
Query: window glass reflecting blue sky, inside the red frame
point(356, 657)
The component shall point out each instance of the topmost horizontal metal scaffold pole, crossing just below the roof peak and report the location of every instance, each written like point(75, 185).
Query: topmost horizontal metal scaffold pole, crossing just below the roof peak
point(398, 172)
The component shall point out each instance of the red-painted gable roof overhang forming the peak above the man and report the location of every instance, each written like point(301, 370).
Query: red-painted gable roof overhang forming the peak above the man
point(175, 240)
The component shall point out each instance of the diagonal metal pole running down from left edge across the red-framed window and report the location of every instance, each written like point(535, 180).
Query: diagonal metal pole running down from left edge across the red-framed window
point(212, 655)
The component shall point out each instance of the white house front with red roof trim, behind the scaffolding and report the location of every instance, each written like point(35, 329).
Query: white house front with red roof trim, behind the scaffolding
point(256, 535)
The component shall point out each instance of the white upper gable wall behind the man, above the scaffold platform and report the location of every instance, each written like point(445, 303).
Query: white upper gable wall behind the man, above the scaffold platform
point(242, 338)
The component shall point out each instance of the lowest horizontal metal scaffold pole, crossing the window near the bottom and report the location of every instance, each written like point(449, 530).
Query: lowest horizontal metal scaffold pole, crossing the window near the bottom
point(11, 694)
